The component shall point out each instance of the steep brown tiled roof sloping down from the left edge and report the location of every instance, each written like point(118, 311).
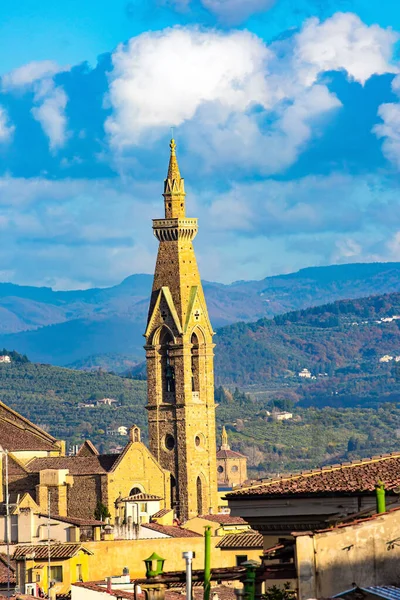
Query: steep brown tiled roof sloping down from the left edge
point(18, 433)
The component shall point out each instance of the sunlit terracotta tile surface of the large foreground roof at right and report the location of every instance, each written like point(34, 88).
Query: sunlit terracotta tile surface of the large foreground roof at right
point(357, 477)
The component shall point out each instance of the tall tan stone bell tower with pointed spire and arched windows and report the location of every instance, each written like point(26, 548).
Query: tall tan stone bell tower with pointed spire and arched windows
point(179, 353)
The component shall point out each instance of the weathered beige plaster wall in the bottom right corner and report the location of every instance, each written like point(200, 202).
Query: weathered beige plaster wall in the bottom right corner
point(363, 554)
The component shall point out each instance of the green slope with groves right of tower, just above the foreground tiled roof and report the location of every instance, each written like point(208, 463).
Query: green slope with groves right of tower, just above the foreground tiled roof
point(313, 437)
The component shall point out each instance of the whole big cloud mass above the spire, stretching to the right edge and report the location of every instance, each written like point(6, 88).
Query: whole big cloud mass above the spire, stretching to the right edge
point(234, 97)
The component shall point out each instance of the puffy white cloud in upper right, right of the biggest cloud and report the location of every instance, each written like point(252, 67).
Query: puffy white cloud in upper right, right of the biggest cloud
point(344, 42)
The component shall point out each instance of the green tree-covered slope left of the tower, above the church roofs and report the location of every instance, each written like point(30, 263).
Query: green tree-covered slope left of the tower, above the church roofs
point(50, 397)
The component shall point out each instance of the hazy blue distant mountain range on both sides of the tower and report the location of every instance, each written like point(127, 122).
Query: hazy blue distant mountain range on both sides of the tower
point(103, 327)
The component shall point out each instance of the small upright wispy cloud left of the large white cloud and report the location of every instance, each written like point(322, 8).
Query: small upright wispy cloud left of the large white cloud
point(50, 112)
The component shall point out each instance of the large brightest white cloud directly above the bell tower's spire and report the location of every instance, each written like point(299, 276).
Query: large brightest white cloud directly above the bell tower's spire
point(160, 79)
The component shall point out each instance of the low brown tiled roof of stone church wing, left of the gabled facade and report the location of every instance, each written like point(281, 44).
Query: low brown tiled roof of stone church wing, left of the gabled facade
point(77, 465)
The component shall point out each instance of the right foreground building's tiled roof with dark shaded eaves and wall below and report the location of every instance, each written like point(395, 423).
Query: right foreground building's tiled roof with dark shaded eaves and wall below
point(315, 499)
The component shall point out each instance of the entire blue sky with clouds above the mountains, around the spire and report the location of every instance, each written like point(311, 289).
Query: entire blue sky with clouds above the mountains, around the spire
point(286, 115)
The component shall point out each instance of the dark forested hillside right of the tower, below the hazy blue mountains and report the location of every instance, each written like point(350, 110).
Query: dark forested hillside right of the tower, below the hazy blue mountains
point(341, 344)
